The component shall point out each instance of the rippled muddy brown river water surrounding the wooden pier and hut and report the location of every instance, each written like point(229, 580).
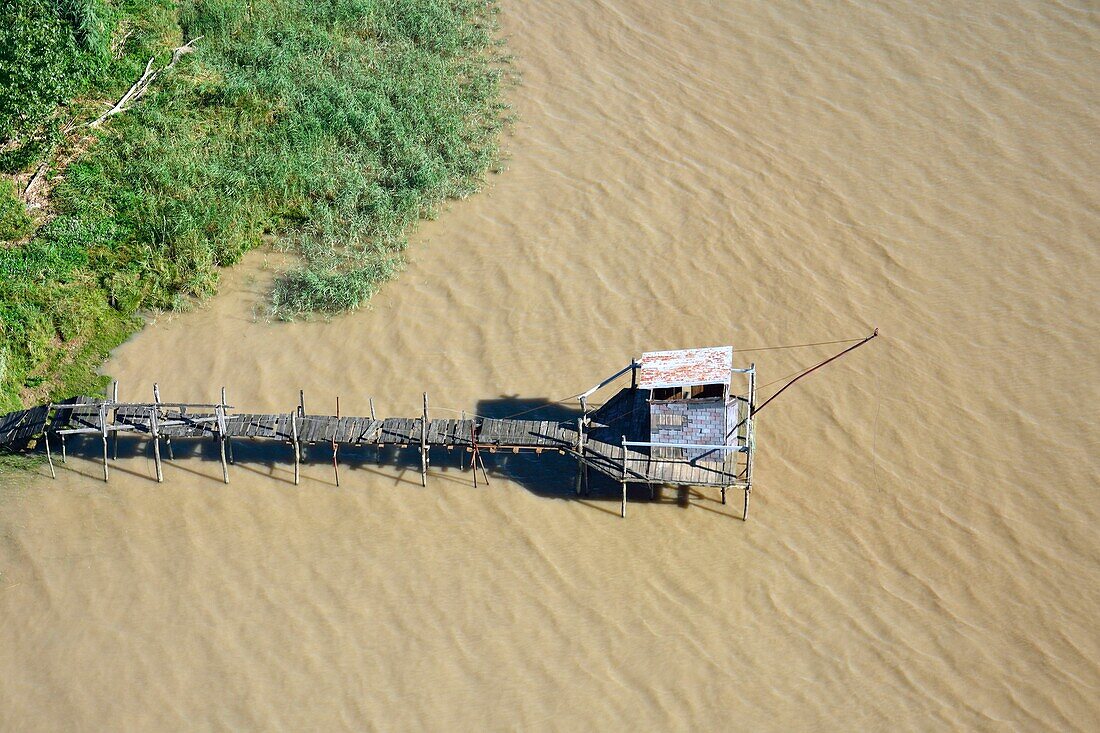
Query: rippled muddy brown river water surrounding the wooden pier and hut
point(923, 549)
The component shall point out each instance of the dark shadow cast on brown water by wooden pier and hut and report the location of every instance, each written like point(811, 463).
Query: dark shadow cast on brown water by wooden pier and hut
point(549, 475)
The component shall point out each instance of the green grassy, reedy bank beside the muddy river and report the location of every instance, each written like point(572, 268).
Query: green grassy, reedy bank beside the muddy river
point(332, 125)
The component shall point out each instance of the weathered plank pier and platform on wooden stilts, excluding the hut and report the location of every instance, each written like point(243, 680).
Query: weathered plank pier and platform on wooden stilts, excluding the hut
point(613, 440)
